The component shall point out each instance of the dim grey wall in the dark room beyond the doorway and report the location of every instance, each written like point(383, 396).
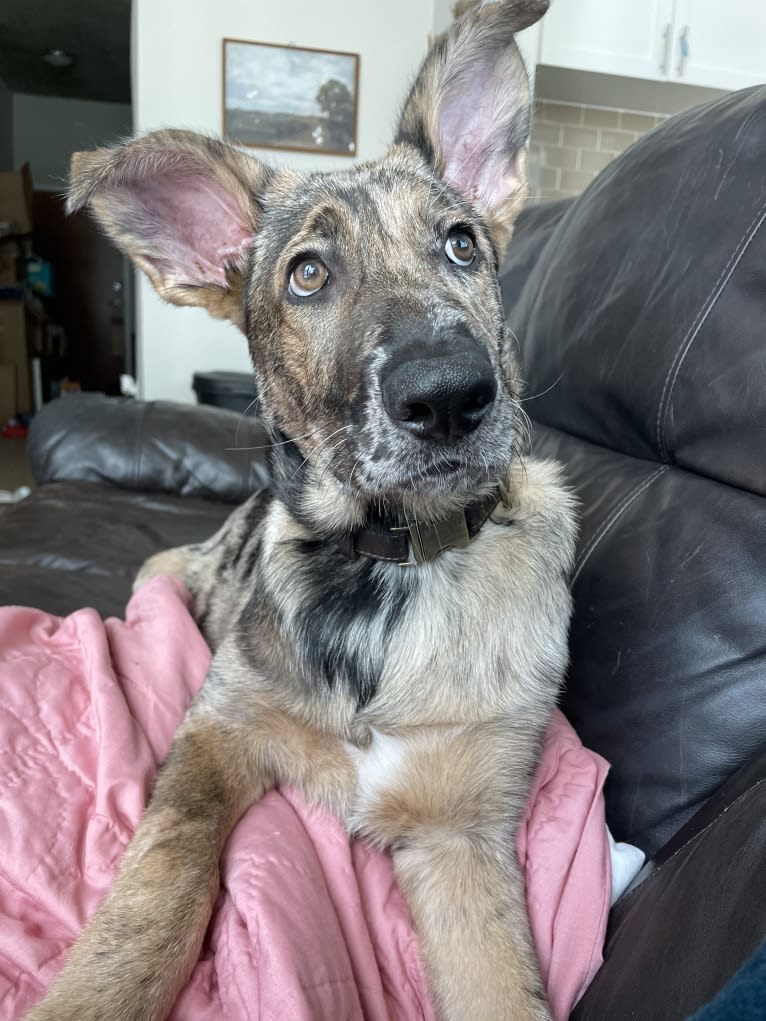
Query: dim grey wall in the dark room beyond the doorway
point(49, 129)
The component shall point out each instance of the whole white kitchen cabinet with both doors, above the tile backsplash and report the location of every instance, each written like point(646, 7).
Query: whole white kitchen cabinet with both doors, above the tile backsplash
point(726, 44)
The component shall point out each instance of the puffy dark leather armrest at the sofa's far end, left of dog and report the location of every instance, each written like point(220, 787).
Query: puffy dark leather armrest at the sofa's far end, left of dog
point(150, 447)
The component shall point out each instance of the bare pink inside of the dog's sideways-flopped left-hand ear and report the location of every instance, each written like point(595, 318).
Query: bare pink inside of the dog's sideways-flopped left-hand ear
point(195, 227)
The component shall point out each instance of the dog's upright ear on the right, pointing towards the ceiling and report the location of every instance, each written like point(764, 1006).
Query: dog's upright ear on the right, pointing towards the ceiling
point(468, 112)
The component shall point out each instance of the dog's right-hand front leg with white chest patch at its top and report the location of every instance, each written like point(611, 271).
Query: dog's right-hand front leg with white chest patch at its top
point(447, 802)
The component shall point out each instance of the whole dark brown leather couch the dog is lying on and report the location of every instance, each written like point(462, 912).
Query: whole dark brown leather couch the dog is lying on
point(641, 313)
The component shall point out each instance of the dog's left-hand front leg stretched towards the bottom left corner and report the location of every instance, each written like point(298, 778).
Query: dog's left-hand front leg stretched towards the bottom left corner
point(135, 955)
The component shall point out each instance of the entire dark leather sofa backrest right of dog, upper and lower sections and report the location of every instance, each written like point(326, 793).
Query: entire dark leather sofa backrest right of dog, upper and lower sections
point(640, 311)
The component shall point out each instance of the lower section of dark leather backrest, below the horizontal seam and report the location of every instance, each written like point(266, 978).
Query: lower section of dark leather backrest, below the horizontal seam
point(667, 654)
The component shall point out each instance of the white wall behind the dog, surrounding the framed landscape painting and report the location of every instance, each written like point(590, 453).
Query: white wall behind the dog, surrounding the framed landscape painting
point(177, 78)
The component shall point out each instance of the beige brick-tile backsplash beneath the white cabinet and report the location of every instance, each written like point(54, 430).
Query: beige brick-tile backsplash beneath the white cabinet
point(571, 144)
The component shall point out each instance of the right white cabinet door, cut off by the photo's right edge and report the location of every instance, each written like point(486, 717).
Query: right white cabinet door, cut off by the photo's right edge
point(727, 43)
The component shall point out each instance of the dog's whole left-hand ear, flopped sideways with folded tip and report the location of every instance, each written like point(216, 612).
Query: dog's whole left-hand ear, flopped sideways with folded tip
point(184, 207)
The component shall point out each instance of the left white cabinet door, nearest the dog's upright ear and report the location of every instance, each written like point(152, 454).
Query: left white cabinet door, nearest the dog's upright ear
point(615, 37)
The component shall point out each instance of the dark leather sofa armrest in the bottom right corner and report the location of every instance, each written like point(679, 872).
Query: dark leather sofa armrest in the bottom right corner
point(697, 915)
